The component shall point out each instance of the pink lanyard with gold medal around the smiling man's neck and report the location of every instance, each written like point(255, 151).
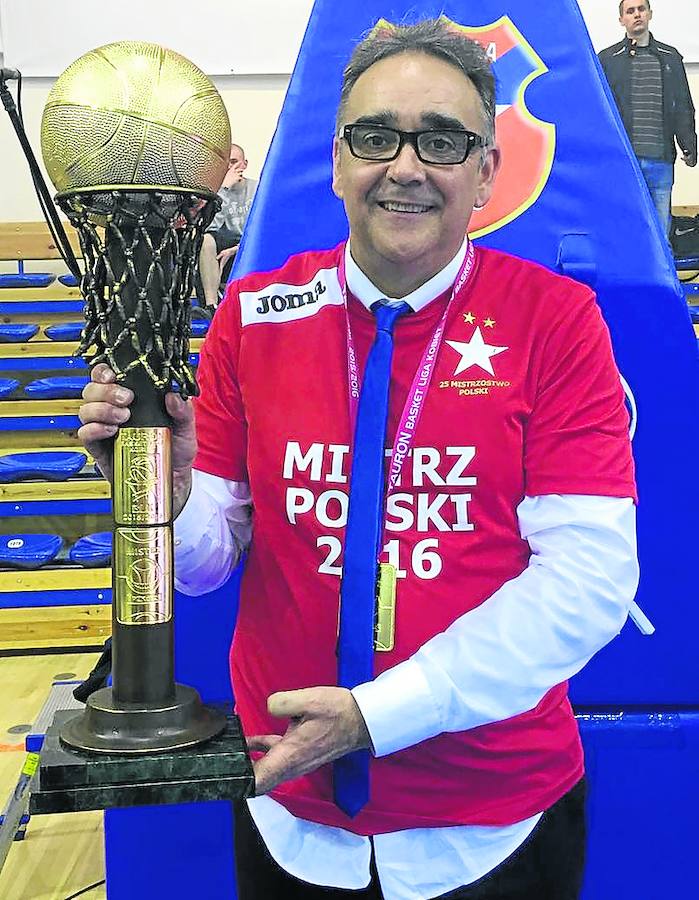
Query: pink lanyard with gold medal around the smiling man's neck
point(386, 573)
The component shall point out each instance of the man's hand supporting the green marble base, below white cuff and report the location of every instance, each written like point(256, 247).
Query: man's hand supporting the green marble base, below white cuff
point(325, 723)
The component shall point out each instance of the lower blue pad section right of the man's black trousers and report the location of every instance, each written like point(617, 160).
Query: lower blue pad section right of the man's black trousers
point(642, 772)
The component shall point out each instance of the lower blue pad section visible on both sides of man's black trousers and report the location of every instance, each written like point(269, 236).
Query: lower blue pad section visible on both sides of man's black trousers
point(639, 766)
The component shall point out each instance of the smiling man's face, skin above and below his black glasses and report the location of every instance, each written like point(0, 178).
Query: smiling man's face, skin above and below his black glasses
point(406, 213)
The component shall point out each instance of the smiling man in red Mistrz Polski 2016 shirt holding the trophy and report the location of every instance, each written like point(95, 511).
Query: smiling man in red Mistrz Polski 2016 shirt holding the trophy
point(508, 521)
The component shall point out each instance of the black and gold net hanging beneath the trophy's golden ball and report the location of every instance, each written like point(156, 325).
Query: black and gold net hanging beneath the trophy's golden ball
point(140, 250)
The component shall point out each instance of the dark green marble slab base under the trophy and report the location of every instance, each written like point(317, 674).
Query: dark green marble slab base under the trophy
point(72, 781)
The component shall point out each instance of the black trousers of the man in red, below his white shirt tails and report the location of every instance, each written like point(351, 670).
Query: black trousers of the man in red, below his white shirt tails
point(548, 865)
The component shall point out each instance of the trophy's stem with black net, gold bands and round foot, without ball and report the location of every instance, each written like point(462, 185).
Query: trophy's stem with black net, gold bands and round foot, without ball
point(135, 297)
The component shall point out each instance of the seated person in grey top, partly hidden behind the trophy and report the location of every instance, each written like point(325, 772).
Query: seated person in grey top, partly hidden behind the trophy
point(223, 236)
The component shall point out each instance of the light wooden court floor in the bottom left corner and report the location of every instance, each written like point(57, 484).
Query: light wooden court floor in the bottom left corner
point(61, 854)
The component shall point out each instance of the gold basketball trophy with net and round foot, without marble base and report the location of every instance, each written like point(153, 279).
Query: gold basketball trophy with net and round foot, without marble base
point(136, 140)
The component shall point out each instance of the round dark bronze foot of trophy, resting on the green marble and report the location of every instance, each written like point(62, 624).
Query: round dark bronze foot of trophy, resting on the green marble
point(105, 727)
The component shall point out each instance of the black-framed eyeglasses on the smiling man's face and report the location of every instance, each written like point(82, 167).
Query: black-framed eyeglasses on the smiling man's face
point(437, 146)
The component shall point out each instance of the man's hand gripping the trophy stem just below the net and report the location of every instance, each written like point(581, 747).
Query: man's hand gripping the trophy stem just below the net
point(105, 408)
